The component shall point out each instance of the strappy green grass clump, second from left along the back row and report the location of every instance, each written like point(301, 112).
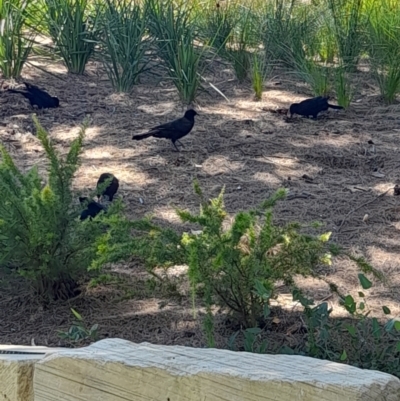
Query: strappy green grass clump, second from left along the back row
point(73, 26)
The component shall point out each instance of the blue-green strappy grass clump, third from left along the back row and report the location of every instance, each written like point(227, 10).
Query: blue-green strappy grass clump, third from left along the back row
point(123, 42)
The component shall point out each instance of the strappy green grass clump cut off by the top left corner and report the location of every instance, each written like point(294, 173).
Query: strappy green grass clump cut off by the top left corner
point(15, 40)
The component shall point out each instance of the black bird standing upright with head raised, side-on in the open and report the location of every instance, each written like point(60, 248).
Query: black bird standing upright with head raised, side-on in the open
point(173, 130)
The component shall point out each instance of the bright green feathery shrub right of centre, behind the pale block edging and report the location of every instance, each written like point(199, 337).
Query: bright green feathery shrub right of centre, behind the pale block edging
point(238, 267)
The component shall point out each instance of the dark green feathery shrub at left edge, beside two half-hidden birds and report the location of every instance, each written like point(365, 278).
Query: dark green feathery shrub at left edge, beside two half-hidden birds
point(40, 233)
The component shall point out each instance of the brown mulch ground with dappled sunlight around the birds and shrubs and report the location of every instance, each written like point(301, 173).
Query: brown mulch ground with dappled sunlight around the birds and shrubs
point(333, 171)
